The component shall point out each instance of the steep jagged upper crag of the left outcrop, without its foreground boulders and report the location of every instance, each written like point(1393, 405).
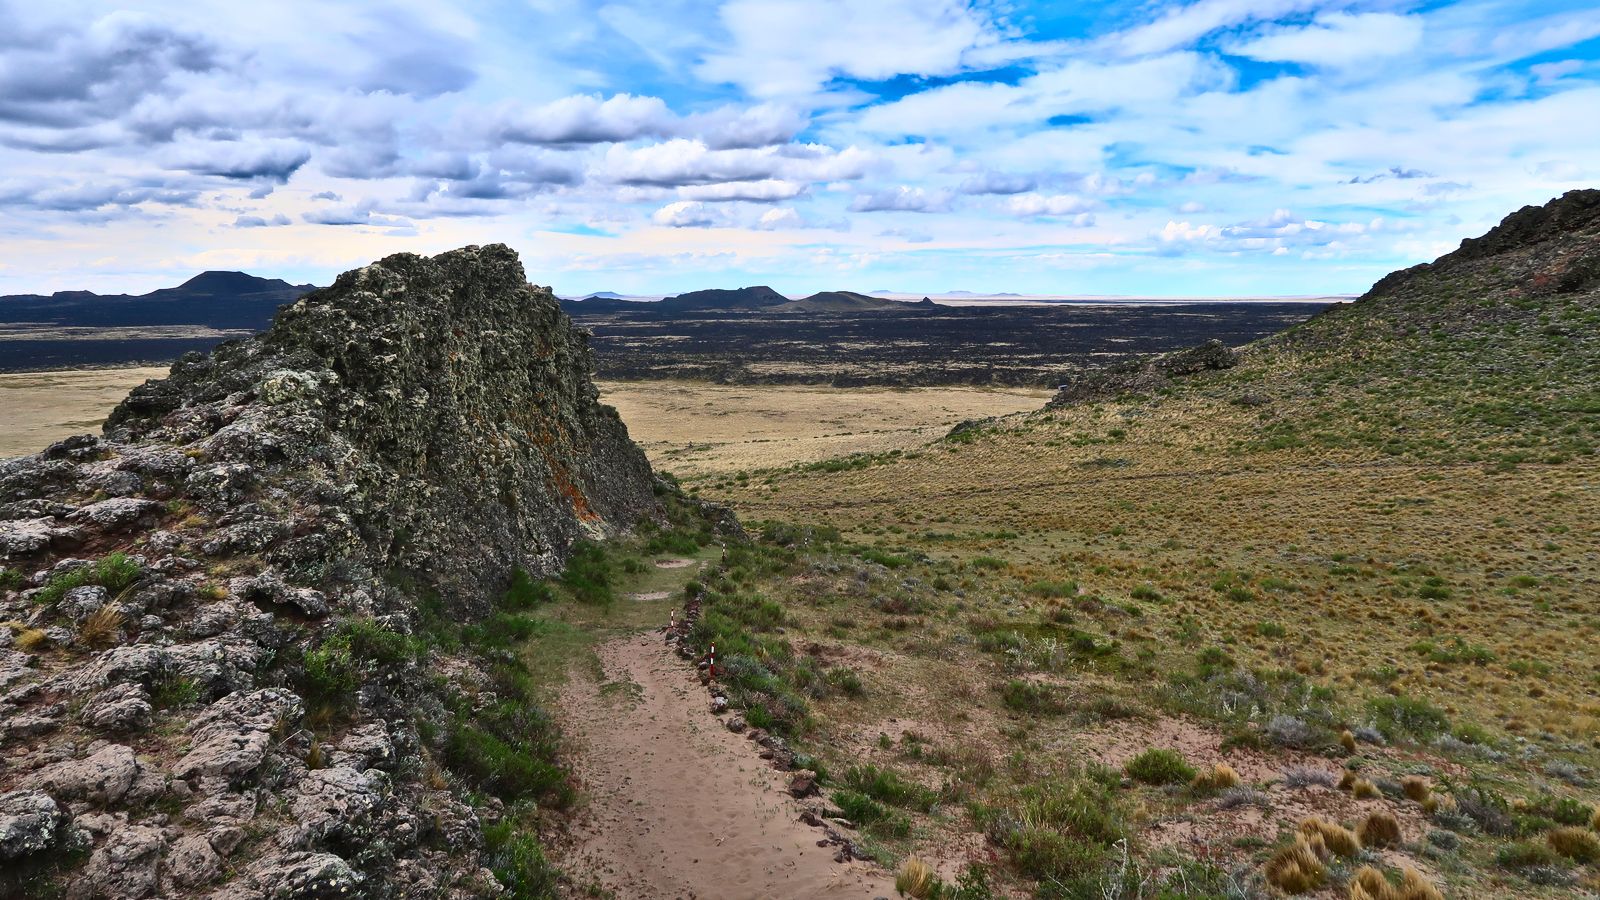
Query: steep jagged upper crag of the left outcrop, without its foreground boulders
point(438, 412)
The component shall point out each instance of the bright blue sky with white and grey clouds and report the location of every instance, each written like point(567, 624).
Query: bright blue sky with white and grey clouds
point(1217, 148)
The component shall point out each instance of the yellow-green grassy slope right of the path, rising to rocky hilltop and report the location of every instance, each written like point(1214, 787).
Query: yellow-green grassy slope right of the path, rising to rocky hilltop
point(1366, 550)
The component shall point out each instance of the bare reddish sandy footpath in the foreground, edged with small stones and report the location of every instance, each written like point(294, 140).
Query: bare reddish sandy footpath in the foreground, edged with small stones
point(678, 805)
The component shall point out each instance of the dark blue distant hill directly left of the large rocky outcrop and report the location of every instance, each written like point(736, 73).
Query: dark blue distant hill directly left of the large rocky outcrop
point(217, 300)
